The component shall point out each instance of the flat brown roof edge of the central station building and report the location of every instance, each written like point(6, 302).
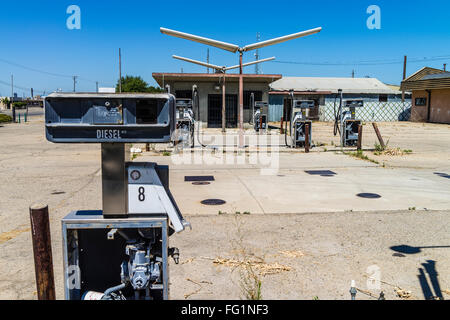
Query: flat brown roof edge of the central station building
point(161, 78)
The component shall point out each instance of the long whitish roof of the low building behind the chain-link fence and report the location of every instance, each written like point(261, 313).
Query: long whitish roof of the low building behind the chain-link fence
point(348, 85)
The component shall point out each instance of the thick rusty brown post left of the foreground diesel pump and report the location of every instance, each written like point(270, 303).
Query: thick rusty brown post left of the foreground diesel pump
point(42, 250)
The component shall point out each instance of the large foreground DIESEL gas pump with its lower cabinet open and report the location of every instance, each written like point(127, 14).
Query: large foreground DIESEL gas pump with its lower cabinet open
point(122, 251)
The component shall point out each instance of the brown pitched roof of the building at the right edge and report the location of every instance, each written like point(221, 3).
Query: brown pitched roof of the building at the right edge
point(427, 79)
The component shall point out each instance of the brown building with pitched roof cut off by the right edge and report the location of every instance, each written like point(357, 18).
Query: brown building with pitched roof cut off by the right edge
point(430, 95)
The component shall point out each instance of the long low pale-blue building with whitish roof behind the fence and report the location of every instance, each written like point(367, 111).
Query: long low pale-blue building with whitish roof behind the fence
point(324, 91)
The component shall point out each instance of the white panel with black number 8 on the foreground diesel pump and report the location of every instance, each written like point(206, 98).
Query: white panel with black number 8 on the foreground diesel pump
point(144, 199)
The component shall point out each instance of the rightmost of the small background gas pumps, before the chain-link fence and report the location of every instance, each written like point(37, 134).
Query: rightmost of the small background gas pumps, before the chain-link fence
point(345, 121)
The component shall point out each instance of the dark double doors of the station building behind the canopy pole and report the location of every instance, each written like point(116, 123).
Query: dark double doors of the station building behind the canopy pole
point(215, 111)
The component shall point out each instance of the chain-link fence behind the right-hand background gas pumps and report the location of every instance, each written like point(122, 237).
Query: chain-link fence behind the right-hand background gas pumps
point(372, 111)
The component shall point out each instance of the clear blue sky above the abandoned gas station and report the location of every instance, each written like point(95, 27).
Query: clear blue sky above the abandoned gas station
point(34, 34)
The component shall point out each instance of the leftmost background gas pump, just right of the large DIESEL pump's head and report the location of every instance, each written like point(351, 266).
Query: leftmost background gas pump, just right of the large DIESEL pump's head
point(185, 121)
